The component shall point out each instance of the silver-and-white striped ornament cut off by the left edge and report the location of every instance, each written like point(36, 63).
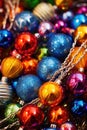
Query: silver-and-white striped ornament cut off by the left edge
point(5, 92)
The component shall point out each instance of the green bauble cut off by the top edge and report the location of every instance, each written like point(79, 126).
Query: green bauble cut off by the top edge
point(30, 4)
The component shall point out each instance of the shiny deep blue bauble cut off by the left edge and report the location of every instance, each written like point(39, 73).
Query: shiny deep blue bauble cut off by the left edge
point(6, 38)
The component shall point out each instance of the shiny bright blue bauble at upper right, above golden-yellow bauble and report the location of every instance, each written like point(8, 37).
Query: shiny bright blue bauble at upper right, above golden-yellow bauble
point(78, 20)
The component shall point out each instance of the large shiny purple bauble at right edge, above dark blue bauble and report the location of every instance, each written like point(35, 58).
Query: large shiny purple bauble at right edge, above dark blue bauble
point(77, 83)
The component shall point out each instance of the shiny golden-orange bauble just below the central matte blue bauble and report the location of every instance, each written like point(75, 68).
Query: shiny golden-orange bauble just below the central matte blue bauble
point(50, 93)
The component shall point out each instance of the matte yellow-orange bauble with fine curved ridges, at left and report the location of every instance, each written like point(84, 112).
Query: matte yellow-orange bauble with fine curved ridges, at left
point(11, 67)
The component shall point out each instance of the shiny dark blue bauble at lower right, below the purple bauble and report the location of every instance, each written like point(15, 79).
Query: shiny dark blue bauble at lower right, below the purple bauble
point(78, 107)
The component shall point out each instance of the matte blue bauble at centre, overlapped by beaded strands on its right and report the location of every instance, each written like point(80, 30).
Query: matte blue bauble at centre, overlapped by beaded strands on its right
point(47, 66)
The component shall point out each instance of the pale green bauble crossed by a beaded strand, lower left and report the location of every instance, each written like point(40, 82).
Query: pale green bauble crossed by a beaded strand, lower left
point(10, 109)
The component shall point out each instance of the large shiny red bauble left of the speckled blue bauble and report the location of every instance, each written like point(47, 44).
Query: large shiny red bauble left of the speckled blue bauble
point(26, 44)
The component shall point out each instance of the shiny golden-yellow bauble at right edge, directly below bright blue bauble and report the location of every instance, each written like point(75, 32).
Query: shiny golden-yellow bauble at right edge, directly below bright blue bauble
point(81, 31)
